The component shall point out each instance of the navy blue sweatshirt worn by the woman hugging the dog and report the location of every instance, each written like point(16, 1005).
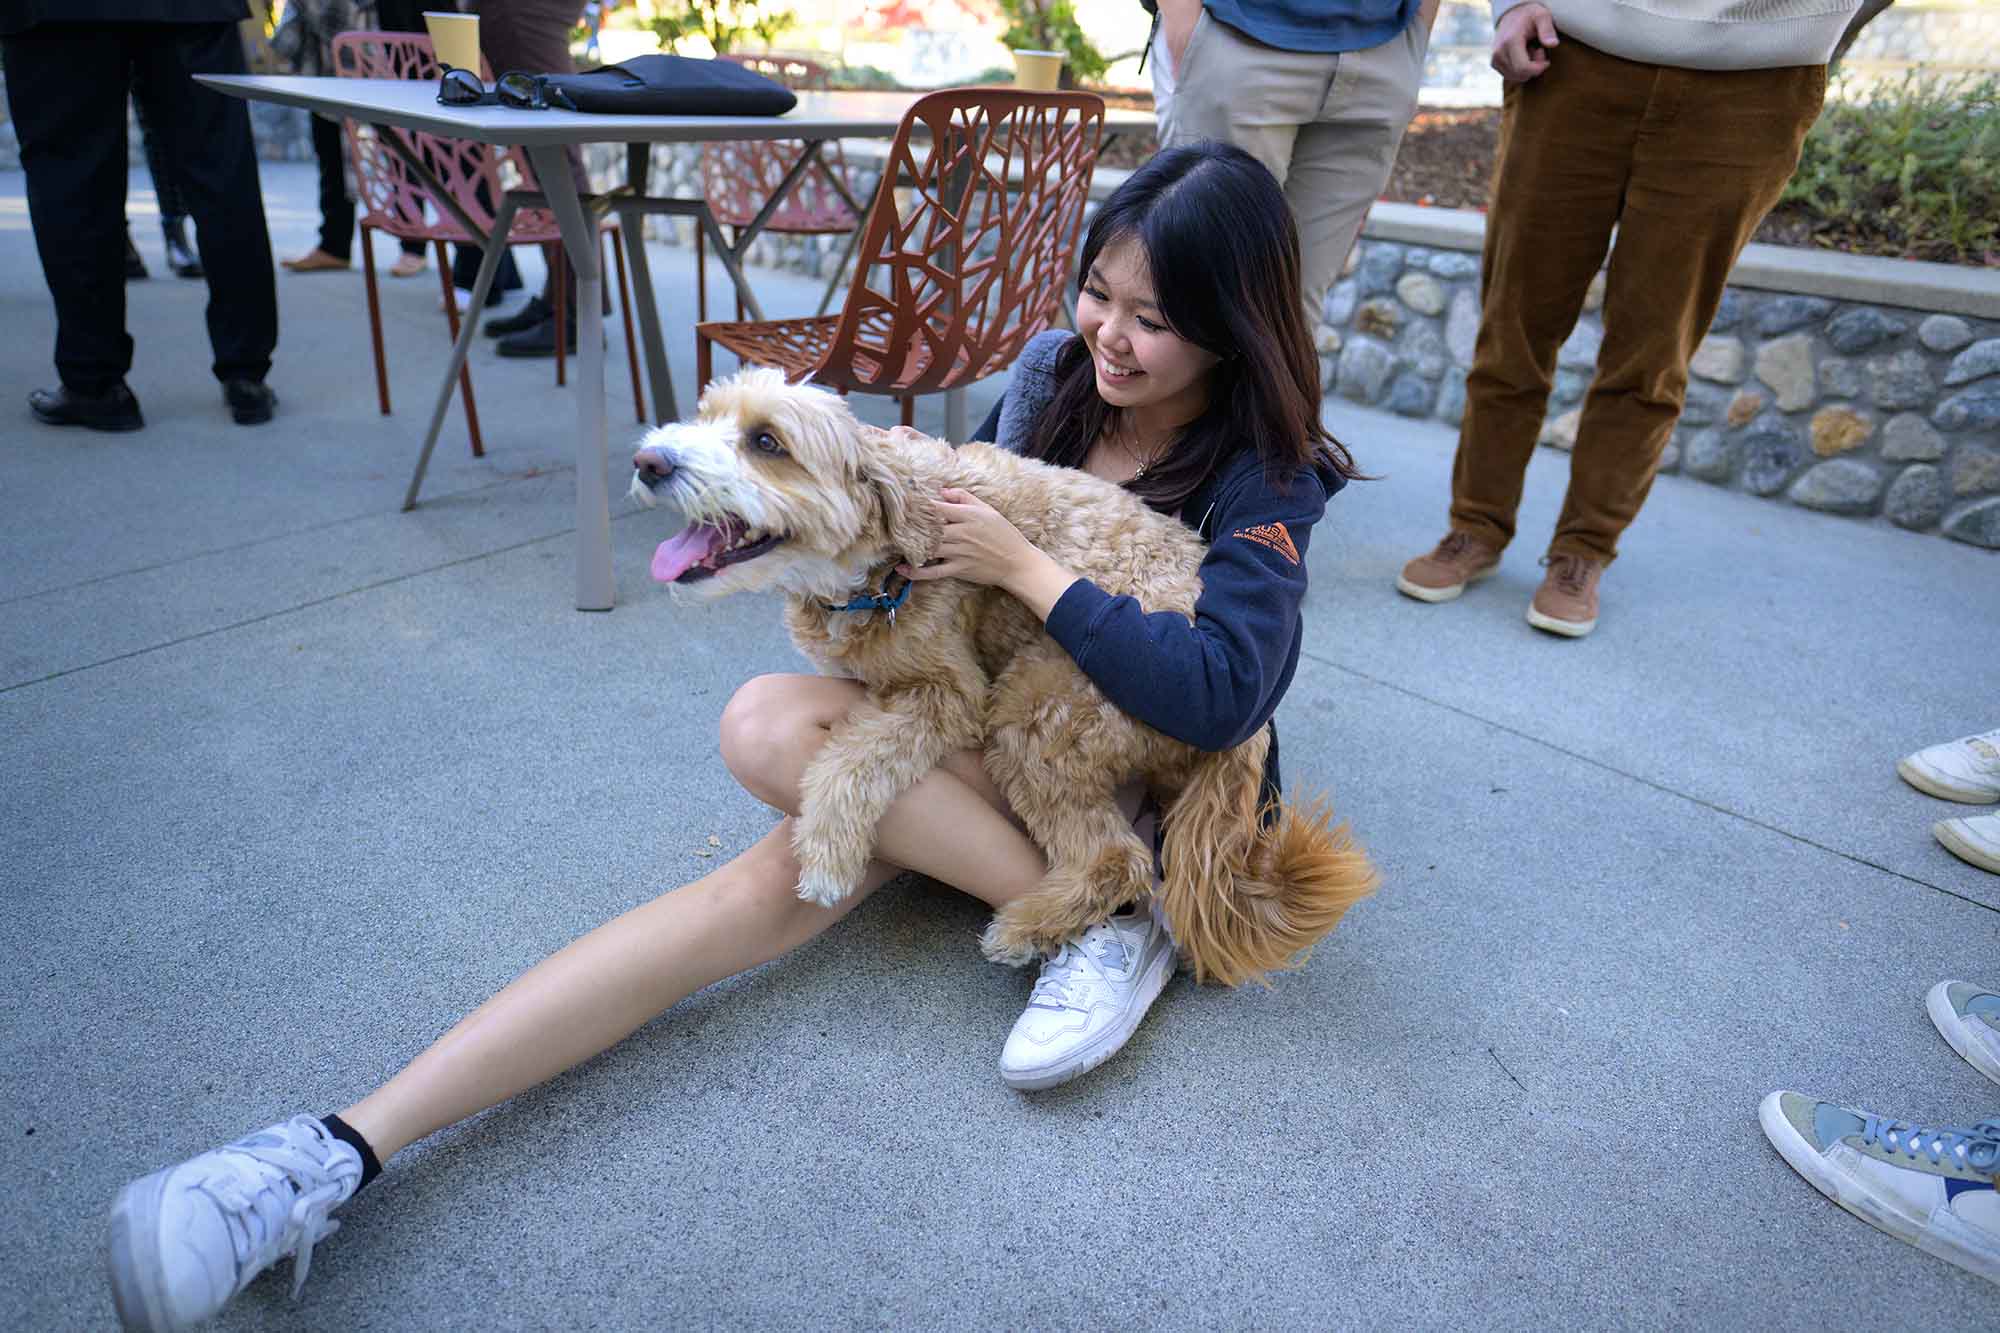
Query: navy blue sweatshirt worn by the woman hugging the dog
point(1217, 682)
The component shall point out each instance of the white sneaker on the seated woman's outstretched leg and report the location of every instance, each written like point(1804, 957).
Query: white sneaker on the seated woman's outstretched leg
point(189, 1238)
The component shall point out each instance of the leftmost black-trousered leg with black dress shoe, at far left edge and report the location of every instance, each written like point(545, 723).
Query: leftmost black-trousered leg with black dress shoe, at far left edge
point(67, 97)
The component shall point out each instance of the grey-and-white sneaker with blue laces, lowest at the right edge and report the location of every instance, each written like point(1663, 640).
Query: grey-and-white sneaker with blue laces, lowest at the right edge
point(1931, 1188)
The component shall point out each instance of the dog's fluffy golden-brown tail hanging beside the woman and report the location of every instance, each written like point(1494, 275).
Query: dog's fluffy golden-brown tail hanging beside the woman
point(1245, 900)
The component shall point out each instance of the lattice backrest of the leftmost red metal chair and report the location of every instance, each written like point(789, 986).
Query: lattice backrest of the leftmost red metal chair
point(391, 195)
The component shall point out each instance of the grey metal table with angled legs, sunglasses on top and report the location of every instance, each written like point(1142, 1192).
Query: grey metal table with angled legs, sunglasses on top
point(409, 105)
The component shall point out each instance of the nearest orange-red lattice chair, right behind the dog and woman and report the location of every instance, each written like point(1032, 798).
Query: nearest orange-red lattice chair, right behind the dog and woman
point(965, 255)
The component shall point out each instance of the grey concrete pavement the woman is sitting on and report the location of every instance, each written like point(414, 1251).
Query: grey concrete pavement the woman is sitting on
point(295, 780)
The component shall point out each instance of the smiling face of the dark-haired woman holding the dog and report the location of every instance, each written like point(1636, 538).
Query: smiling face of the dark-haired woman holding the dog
point(1141, 363)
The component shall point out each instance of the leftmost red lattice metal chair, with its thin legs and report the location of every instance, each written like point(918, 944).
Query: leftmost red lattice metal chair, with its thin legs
point(393, 199)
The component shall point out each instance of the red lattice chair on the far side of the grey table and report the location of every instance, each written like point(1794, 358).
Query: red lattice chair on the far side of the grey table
point(741, 175)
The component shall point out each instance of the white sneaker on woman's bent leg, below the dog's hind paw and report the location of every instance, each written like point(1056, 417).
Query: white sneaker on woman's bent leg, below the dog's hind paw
point(1089, 1002)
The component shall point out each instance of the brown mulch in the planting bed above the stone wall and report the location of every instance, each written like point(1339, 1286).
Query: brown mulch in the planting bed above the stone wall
point(1447, 161)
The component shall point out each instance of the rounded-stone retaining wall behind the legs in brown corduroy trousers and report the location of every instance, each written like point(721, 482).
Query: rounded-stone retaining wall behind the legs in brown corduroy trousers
point(1851, 407)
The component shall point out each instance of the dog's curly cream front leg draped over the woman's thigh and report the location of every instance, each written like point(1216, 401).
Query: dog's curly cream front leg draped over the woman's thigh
point(879, 752)
